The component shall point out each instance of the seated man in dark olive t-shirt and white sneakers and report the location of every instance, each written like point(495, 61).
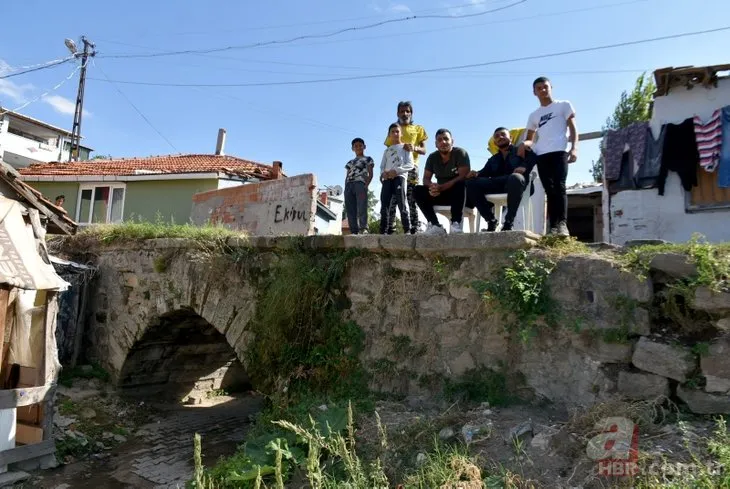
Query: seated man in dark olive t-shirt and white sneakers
point(450, 165)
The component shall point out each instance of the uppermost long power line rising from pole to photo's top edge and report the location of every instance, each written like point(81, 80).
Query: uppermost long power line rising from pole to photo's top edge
point(312, 36)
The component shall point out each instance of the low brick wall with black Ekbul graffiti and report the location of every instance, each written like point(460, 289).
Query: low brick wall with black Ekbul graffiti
point(275, 207)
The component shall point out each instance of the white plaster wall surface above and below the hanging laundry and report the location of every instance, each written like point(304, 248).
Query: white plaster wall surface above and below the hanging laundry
point(644, 214)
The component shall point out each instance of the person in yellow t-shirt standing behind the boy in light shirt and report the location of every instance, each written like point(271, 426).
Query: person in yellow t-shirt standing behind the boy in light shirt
point(414, 139)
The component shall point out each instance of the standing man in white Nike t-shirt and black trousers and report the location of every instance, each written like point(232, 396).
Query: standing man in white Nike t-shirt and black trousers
point(552, 122)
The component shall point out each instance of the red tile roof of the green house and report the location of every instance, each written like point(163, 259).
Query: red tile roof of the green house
point(152, 165)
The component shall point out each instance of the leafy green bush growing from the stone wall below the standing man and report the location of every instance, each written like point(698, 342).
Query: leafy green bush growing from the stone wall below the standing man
point(521, 295)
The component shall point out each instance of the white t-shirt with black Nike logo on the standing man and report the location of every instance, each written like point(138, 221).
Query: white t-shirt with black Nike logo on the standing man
point(551, 125)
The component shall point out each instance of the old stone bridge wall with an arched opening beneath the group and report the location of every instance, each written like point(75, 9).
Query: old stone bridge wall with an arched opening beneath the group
point(424, 322)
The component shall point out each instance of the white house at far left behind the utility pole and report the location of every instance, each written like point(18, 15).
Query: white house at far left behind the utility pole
point(25, 140)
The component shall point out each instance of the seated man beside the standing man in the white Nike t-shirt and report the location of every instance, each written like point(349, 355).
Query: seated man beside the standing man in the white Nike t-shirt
point(505, 172)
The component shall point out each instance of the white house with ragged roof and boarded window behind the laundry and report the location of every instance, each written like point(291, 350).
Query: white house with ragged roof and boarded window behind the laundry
point(675, 216)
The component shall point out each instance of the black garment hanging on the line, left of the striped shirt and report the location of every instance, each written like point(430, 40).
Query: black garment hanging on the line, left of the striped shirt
point(680, 154)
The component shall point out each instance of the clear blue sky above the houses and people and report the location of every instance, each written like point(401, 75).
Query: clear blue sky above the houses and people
point(309, 127)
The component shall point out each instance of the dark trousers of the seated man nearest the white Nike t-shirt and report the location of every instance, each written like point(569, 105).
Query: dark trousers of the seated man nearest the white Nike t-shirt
point(513, 185)
